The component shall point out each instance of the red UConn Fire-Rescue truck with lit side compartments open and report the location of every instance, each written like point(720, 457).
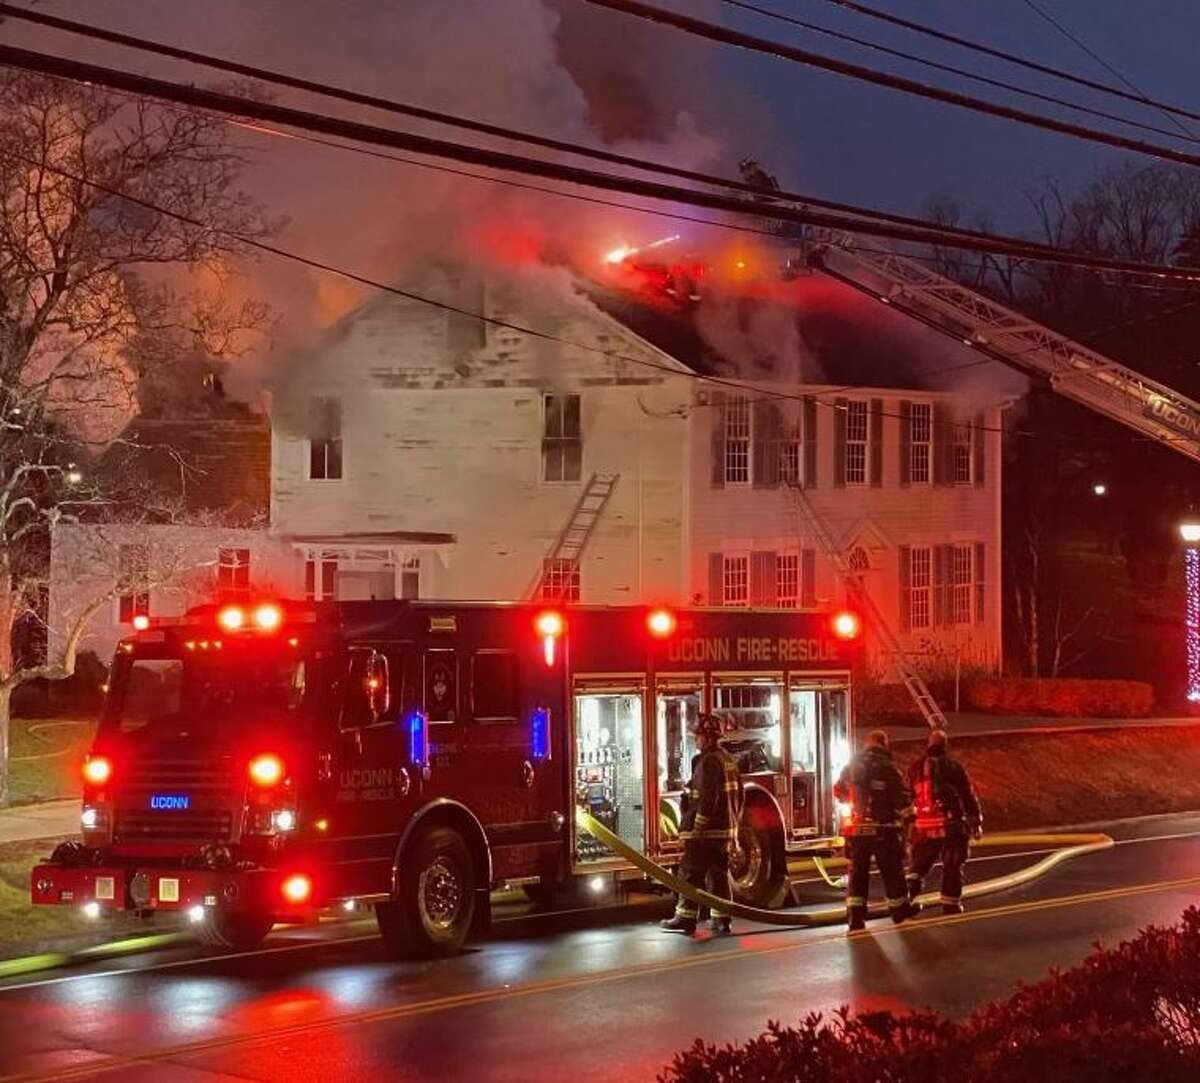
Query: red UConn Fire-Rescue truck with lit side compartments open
point(257, 764)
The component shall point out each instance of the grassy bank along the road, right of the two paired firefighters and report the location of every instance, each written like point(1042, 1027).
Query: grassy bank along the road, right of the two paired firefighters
point(1041, 780)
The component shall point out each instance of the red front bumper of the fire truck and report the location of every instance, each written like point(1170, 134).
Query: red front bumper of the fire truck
point(119, 888)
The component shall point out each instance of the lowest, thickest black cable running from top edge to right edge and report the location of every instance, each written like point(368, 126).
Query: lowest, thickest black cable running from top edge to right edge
point(723, 35)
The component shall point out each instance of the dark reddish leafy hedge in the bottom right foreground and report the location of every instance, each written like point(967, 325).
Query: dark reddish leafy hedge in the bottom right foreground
point(1127, 1013)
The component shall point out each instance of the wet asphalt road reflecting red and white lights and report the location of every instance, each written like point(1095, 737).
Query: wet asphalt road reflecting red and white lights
point(610, 998)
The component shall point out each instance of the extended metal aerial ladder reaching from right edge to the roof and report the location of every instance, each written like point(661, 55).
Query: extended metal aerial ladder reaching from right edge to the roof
point(1073, 370)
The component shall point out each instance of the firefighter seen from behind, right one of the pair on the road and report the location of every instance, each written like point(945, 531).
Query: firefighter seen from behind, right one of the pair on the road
point(949, 817)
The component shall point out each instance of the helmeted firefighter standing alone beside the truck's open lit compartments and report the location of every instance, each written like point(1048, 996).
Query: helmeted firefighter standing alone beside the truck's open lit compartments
point(712, 809)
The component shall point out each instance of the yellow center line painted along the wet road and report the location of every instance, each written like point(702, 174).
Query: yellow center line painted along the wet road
point(584, 980)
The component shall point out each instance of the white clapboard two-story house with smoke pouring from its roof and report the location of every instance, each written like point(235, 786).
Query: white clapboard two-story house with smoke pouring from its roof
point(419, 453)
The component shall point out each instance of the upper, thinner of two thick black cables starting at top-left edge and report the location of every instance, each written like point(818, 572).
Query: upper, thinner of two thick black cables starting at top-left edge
point(469, 124)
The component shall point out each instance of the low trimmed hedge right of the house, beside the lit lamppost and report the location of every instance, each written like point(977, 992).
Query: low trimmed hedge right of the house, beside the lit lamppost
point(1069, 697)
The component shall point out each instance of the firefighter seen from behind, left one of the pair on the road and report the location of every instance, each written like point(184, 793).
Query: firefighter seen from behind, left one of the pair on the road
point(880, 805)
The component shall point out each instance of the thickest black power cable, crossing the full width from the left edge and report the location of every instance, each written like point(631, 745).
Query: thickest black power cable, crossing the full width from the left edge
point(230, 105)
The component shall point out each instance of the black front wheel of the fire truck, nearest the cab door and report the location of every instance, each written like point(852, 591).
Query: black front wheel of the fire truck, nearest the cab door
point(437, 897)
